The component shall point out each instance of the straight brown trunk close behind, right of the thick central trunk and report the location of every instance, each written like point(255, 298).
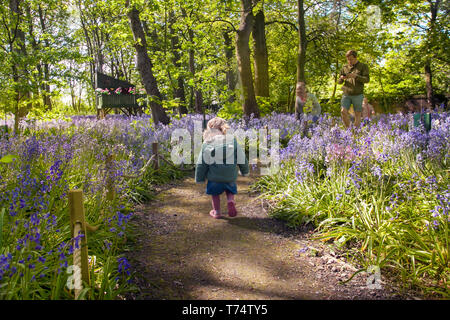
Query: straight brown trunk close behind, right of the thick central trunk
point(261, 56)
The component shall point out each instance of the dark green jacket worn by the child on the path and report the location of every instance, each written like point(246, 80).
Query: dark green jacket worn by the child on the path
point(218, 161)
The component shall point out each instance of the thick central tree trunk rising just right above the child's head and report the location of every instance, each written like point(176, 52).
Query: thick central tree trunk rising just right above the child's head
point(243, 58)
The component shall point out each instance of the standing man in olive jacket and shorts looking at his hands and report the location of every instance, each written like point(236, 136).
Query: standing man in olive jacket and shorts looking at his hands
point(354, 75)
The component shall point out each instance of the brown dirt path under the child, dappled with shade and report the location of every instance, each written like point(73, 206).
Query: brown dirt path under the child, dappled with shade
point(183, 253)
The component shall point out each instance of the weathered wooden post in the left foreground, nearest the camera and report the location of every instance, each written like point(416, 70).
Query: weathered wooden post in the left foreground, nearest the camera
point(78, 224)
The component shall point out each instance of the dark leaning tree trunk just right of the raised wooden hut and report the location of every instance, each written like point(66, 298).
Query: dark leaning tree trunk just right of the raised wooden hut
point(145, 67)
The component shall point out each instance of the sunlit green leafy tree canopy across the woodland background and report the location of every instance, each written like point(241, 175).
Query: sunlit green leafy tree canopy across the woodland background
point(186, 45)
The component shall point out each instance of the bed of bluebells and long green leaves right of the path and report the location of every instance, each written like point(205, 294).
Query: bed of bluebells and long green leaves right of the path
point(390, 213)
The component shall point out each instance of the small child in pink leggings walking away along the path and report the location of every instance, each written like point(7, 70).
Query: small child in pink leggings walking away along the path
point(218, 163)
